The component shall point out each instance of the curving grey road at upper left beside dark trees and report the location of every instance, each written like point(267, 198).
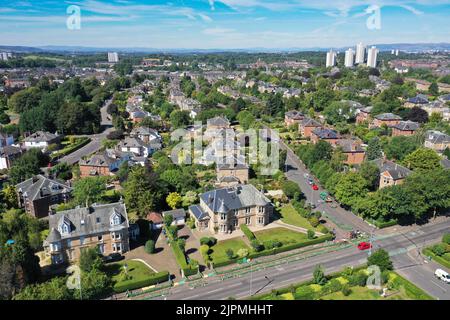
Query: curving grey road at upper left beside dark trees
point(96, 139)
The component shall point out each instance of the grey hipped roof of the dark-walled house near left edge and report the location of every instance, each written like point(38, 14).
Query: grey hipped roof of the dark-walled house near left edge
point(39, 187)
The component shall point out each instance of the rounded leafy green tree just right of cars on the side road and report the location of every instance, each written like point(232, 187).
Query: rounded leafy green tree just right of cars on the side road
point(352, 187)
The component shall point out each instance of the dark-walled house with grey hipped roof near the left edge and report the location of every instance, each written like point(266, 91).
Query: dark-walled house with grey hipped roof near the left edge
point(37, 194)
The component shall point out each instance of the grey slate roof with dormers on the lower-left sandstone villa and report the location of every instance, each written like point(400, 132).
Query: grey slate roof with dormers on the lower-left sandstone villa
point(88, 221)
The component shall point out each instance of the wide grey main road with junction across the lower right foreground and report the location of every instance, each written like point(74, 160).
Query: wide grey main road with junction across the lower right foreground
point(401, 247)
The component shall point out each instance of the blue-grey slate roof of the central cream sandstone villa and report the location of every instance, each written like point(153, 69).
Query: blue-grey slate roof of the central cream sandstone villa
point(237, 197)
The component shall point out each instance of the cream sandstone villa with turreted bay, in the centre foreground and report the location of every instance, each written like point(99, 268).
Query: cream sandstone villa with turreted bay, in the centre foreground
point(224, 210)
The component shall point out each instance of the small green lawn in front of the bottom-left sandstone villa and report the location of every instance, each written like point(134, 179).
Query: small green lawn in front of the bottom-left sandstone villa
point(137, 271)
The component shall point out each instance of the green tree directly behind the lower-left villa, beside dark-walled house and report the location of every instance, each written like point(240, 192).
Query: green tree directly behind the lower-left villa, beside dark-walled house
point(89, 190)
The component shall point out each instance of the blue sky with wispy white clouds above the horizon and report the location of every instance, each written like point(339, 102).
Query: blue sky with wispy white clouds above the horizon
point(222, 23)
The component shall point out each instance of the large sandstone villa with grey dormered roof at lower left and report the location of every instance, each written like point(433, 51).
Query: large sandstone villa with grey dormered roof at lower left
point(103, 226)
